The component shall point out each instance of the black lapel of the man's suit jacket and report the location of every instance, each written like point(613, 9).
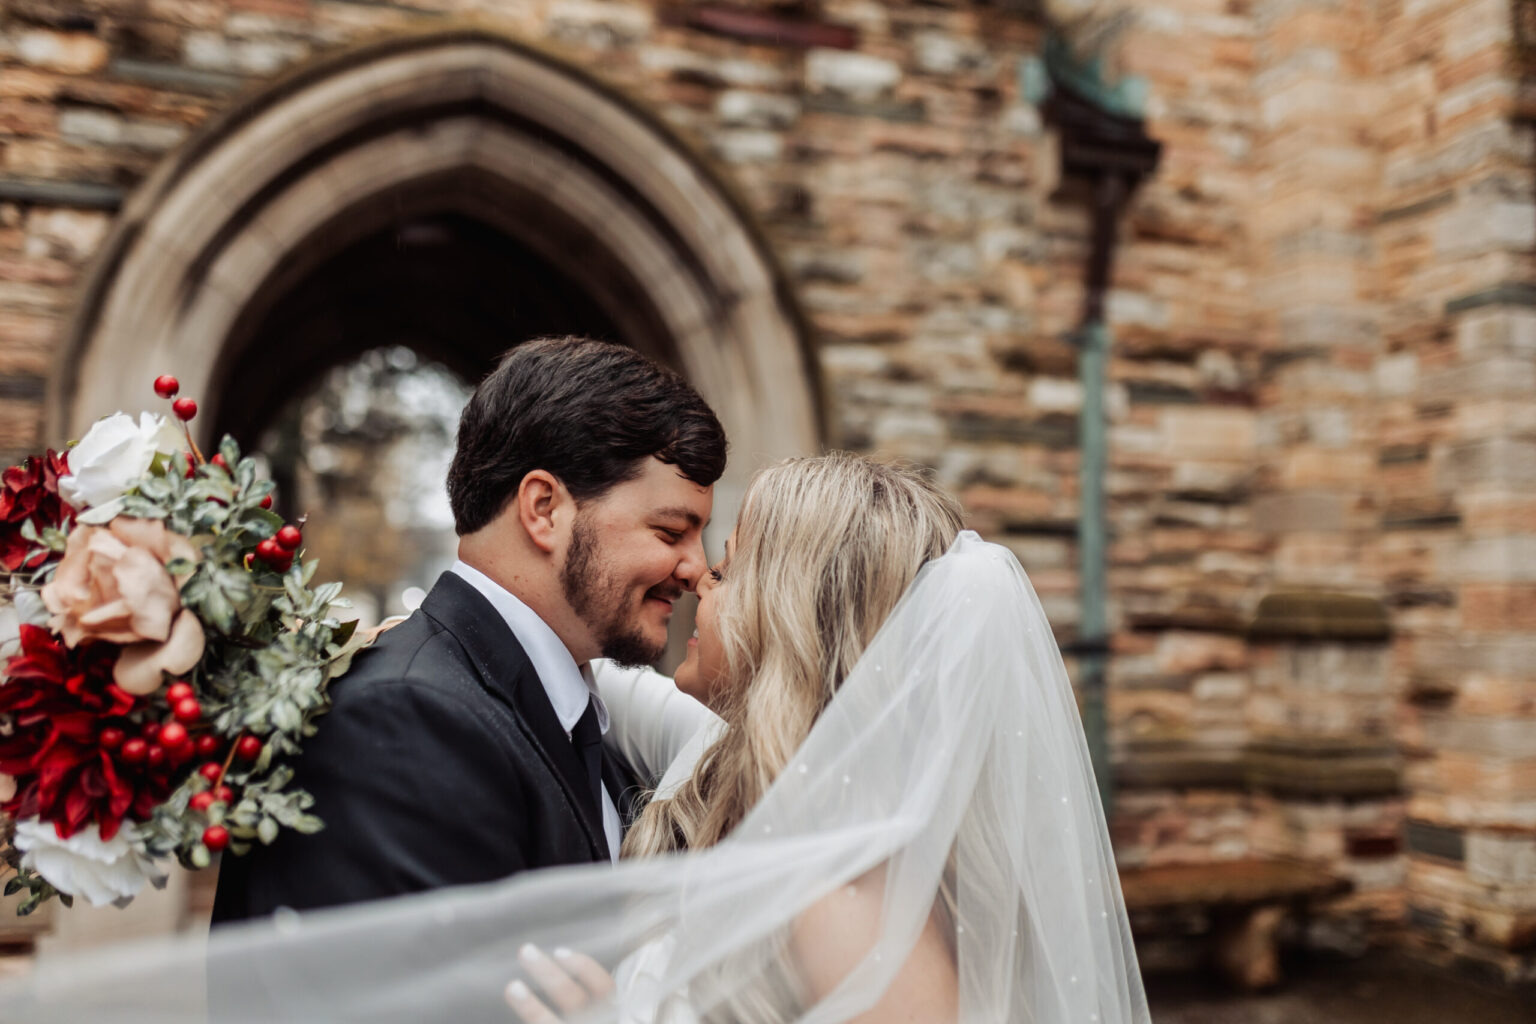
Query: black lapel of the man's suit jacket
point(508, 675)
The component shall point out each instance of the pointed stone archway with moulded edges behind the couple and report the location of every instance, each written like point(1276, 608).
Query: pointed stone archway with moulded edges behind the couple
point(449, 125)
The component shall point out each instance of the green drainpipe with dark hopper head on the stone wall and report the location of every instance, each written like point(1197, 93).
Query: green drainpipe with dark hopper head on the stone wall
point(1105, 147)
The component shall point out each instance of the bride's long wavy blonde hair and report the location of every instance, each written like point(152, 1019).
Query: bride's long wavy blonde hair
point(824, 550)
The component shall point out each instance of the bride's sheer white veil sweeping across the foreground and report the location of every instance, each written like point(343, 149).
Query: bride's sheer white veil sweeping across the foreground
point(948, 781)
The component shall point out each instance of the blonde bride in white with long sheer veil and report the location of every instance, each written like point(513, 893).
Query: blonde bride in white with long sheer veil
point(893, 819)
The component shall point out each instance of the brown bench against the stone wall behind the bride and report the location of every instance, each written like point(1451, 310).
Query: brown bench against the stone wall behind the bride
point(1246, 903)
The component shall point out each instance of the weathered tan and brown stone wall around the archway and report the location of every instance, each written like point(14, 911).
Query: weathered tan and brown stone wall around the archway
point(1322, 371)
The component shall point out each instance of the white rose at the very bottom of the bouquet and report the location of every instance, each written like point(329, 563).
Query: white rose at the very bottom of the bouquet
point(111, 871)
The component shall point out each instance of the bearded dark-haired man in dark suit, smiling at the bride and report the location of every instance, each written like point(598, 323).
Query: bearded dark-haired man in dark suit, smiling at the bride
point(466, 745)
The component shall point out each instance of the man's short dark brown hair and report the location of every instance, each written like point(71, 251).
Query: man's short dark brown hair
point(589, 412)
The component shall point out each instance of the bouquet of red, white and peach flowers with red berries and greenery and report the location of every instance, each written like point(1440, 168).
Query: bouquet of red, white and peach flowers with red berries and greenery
point(164, 655)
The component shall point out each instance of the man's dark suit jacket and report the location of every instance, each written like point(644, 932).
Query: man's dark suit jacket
point(440, 764)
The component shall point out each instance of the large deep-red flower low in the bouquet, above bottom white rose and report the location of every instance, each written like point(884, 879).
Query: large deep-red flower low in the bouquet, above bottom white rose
point(58, 702)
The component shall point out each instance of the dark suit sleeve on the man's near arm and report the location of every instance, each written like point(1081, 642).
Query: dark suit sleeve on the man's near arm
point(414, 793)
